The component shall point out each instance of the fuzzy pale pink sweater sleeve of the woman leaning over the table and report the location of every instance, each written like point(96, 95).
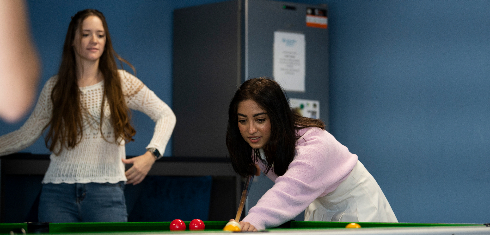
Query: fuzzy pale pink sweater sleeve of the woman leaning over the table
point(320, 165)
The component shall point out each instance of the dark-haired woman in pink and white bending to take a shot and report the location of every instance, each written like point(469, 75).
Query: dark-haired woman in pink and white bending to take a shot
point(311, 170)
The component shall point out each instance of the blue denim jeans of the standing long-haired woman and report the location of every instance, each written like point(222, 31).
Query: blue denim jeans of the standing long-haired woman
point(91, 202)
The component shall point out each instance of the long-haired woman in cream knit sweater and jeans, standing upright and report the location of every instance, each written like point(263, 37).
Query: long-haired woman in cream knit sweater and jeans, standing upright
point(85, 111)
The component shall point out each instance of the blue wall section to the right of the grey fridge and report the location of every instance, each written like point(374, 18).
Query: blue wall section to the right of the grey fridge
point(410, 96)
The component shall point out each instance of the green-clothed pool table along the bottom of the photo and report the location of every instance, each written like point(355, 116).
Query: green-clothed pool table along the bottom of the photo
point(215, 227)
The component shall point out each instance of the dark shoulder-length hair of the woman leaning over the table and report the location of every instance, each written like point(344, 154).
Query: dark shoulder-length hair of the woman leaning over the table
point(280, 149)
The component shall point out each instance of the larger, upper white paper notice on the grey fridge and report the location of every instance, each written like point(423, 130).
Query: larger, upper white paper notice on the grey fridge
point(289, 60)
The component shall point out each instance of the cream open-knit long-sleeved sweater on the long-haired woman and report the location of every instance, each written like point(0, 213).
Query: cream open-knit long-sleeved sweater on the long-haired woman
point(93, 159)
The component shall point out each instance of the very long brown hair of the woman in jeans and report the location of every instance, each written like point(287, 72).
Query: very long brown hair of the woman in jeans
point(65, 126)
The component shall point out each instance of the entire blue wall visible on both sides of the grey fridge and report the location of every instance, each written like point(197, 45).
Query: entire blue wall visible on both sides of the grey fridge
point(408, 90)
